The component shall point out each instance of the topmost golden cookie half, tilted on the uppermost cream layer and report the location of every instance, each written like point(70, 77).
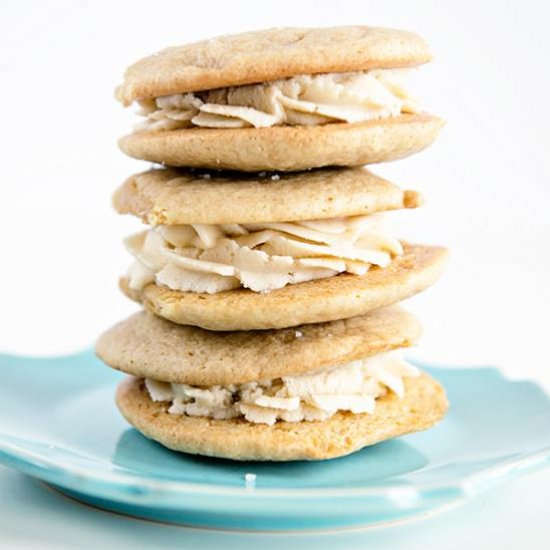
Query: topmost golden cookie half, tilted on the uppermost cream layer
point(259, 56)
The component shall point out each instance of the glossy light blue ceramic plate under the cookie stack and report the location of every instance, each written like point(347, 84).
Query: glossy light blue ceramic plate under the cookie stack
point(58, 423)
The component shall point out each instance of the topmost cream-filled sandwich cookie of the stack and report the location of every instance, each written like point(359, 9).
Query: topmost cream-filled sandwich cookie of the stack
point(280, 99)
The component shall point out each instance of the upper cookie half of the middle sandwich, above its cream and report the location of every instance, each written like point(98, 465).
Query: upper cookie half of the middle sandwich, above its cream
point(165, 196)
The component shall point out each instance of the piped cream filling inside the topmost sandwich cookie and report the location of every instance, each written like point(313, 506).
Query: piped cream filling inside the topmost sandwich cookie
point(299, 100)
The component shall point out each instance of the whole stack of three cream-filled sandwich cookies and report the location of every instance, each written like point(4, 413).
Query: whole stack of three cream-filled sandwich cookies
point(268, 273)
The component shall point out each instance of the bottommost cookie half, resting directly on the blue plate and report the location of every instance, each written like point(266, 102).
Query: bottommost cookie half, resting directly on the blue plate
point(423, 405)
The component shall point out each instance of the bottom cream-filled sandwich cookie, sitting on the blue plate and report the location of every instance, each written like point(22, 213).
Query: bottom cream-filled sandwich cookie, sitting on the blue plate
point(312, 393)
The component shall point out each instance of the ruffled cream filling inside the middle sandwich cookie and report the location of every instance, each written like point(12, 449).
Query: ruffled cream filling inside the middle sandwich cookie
point(258, 256)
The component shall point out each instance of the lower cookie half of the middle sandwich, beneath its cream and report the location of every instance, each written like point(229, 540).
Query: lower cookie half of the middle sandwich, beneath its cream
point(316, 301)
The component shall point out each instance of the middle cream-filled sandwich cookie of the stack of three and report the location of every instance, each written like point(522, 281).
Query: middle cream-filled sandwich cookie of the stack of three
point(273, 251)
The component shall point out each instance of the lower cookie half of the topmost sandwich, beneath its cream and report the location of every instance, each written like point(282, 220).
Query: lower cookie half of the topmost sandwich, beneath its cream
point(286, 148)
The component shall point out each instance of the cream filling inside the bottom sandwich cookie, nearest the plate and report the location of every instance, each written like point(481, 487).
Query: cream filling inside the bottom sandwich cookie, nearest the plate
point(353, 387)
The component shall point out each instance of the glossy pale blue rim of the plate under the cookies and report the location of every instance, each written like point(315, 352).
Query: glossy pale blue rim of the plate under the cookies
point(122, 483)
